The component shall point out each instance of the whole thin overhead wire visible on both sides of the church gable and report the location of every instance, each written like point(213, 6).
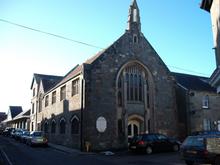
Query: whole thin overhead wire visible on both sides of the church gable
point(80, 42)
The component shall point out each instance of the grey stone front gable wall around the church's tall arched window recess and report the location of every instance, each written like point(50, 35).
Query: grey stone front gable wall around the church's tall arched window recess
point(101, 91)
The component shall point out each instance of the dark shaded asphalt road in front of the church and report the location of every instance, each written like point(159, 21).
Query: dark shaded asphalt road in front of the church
point(16, 153)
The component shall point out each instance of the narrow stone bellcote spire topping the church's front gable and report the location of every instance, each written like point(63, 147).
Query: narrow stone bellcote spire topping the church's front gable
point(134, 22)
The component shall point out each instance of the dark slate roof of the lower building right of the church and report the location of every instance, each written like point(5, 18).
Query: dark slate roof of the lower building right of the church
point(192, 82)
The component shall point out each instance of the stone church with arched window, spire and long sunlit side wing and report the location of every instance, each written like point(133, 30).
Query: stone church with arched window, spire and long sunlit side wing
point(123, 90)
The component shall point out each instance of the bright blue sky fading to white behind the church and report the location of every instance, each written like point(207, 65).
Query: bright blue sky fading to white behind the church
point(179, 31)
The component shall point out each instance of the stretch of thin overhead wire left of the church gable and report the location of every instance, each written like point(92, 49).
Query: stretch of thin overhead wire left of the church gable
point(51, 34)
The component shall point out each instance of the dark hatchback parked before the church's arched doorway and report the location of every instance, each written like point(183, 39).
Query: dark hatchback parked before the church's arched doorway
point(150, 143)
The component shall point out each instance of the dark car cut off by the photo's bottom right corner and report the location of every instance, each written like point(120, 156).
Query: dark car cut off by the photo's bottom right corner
point(201, 149)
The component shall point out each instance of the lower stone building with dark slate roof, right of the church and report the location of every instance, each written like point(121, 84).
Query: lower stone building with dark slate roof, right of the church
point(198, 102)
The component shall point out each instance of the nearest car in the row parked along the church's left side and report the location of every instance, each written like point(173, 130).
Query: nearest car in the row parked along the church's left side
point(37, 138)
